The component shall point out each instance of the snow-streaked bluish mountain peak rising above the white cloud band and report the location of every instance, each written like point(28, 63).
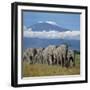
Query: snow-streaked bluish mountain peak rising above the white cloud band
point(47, 26)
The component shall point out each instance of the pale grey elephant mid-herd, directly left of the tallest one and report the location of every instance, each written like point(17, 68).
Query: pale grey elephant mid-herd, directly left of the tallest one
point(48, 55)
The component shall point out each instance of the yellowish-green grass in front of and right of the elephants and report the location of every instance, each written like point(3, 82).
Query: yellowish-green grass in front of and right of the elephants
point(32, 70)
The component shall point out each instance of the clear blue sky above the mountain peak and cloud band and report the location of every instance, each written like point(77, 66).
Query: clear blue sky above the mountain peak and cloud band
point(65, 20)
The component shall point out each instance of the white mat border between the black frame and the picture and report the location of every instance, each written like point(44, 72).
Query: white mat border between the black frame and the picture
point(82, 46)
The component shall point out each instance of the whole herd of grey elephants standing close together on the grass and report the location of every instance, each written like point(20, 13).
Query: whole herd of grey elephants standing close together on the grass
point(51, 55)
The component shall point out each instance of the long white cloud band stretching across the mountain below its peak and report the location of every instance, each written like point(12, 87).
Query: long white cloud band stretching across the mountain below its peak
point(52, 34)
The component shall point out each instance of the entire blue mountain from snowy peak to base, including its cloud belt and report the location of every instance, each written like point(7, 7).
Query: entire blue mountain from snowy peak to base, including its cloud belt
point(43, 34)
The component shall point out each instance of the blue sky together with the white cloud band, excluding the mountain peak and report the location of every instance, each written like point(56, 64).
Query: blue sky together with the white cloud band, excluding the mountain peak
point(65, 20)
